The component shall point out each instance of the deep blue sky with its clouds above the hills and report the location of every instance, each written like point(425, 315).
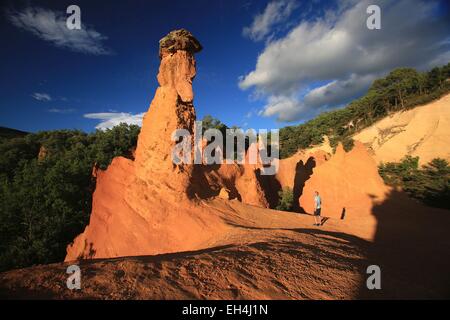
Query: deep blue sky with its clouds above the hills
point(265, 64)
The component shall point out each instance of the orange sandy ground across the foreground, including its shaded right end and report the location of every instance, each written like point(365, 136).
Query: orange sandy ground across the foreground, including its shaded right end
point(269, 255)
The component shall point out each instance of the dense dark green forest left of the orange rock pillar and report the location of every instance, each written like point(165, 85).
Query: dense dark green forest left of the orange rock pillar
point(46, 189)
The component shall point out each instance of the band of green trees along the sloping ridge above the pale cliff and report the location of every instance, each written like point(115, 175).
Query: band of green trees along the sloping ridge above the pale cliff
point(403, 88)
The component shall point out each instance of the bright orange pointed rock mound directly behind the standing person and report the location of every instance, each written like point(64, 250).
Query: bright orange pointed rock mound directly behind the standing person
point(348, 184)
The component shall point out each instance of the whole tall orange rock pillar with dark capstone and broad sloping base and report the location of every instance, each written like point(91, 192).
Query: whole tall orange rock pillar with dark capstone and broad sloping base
point(145, 206)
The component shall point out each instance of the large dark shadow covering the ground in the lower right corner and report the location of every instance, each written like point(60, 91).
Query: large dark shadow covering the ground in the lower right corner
point(412, 248)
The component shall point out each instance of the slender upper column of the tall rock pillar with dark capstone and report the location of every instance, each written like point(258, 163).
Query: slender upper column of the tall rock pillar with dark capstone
point(172, 108)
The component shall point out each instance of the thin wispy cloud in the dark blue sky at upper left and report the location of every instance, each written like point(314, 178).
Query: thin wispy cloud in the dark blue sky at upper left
point(51, 26)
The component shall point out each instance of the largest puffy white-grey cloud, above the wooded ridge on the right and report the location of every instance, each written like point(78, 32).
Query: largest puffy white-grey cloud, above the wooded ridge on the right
point(337, 49)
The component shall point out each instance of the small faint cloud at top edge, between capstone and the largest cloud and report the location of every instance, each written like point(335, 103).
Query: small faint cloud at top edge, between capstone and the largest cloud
point(275, 13)
